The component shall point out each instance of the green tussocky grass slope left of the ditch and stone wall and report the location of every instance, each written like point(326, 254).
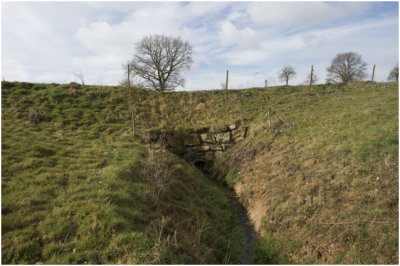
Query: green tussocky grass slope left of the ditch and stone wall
point(71, 167)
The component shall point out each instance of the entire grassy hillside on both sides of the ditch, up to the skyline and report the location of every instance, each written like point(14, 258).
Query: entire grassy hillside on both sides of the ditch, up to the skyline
point(320, 185)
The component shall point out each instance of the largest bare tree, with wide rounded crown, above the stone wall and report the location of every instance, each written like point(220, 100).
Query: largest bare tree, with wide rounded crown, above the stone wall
point(160, 60)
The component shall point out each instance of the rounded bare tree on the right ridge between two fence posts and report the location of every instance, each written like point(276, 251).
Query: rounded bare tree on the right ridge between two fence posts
point(346, 68)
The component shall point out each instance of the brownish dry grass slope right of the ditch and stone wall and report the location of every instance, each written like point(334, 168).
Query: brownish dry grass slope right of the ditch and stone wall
point(321, 184)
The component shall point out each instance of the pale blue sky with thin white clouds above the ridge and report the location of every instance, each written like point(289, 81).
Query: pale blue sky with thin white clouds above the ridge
point(54, 41)
